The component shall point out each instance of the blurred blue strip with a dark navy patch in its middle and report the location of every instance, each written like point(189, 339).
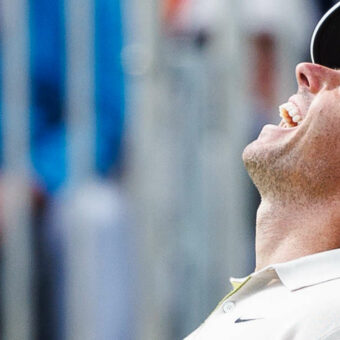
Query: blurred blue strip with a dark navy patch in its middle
point(47, 86)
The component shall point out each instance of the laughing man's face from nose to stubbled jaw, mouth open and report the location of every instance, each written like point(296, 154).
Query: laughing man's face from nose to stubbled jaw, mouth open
point(304, 160)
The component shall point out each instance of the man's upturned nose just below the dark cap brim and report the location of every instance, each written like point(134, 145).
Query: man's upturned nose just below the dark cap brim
point(313, 77)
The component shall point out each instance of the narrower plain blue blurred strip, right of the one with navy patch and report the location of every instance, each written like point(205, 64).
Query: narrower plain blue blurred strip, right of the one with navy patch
point(109, 84)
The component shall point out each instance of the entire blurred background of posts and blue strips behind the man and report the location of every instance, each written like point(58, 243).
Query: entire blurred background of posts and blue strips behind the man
point(124, 205)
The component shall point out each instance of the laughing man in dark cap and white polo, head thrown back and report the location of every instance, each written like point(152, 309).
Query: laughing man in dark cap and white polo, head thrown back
point(294, 291)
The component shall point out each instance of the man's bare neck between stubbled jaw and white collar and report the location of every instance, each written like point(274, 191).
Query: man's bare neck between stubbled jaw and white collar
point(289, 231)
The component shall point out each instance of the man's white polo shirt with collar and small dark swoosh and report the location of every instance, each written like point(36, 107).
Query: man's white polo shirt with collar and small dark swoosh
point(296, 300)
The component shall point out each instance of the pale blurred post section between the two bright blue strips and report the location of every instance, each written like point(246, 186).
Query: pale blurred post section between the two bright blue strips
point(79, 32)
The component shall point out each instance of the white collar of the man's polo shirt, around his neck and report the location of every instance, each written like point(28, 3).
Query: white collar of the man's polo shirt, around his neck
point(303, 272)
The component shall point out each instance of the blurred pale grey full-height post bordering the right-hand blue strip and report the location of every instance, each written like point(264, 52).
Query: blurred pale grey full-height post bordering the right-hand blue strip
point(140, 58)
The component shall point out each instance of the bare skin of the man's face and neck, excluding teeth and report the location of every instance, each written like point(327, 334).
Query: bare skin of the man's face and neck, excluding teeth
point(297, 172)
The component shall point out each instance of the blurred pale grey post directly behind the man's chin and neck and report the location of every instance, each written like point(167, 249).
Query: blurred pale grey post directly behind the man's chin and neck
point(238, 228)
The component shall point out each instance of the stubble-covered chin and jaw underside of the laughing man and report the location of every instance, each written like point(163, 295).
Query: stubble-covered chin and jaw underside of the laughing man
point(287, 178)
